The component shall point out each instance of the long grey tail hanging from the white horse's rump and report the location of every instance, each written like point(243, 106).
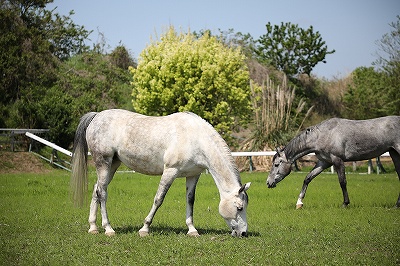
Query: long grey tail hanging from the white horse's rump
point(79, 177)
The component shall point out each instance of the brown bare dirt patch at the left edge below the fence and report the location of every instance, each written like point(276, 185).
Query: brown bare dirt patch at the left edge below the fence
point(22, 162)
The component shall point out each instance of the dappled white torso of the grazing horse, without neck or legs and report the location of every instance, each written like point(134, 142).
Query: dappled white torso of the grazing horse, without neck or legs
point(148, 143)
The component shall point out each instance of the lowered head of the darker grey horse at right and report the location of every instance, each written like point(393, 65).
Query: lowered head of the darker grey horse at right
point(281, 167)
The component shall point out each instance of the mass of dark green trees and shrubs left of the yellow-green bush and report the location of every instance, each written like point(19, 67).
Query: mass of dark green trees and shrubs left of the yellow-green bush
point(49, 76)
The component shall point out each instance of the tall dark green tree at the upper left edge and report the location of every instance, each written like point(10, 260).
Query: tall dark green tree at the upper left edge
point(33, 40)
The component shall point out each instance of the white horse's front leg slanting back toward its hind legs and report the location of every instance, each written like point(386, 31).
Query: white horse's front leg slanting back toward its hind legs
point(167, 178)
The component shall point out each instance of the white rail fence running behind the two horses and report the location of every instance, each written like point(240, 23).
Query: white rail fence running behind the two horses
point(235, 154)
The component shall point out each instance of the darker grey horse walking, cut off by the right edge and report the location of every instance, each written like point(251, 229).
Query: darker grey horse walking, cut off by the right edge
point(335, 141)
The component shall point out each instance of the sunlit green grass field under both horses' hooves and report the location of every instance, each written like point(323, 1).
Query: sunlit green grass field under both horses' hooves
point(40, 226)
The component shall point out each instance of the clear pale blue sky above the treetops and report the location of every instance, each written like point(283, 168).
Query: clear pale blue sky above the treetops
point(351, 27)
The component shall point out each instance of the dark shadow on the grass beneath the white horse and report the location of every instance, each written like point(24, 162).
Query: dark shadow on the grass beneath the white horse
point(166, 230)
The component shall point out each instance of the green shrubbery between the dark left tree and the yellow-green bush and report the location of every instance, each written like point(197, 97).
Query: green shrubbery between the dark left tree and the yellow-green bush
point(87, 82)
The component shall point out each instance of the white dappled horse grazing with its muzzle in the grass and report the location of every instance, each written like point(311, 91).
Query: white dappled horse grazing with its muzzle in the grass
point(178, 145)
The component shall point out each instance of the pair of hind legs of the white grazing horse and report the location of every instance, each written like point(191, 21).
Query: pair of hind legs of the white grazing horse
point(105, 171)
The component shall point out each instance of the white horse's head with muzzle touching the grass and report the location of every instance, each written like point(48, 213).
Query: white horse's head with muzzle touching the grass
point(232, 208)
